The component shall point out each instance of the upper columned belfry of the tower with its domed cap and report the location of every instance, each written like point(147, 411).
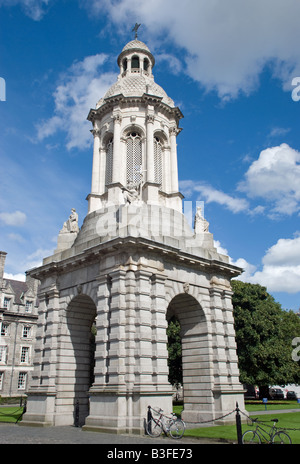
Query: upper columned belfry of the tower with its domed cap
point(135, 126)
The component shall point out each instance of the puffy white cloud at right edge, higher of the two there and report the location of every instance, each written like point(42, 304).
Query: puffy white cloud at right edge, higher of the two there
point(274, 176)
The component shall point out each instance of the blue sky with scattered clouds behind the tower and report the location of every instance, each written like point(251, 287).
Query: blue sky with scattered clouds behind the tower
point(229, 66)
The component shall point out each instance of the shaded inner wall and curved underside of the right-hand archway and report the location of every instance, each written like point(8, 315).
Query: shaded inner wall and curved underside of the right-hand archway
point(197, 369)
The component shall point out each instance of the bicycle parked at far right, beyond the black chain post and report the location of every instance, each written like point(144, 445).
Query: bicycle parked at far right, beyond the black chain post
point(260, 435)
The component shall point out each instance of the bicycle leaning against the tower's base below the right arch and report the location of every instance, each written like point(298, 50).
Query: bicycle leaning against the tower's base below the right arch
point(169, 425)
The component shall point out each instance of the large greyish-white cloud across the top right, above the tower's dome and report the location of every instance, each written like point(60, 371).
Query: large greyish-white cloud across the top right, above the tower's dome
point(225, 45)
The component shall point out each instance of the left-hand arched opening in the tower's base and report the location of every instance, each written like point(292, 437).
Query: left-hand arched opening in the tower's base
point(76, 366)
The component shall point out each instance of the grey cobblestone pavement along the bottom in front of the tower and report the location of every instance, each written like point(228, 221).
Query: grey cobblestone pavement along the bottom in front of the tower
point(16, 434)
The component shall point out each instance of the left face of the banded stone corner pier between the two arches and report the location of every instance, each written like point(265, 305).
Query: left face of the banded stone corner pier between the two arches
point(109, 393)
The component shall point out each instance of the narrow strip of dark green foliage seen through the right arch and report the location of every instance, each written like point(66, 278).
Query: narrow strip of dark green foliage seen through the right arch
point(174, 351)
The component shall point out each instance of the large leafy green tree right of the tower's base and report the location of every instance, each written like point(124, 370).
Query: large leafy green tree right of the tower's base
point(264, 334)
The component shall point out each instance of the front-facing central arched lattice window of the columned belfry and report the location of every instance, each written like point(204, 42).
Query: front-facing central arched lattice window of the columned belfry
point(134, 158)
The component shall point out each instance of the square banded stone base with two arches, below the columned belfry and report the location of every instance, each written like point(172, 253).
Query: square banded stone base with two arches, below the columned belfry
point(131, 278)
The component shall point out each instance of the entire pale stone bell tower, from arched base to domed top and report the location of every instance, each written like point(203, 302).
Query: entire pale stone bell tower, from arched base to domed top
point(109, 289)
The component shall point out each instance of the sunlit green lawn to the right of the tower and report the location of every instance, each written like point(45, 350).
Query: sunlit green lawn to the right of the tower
point(228, 432)
